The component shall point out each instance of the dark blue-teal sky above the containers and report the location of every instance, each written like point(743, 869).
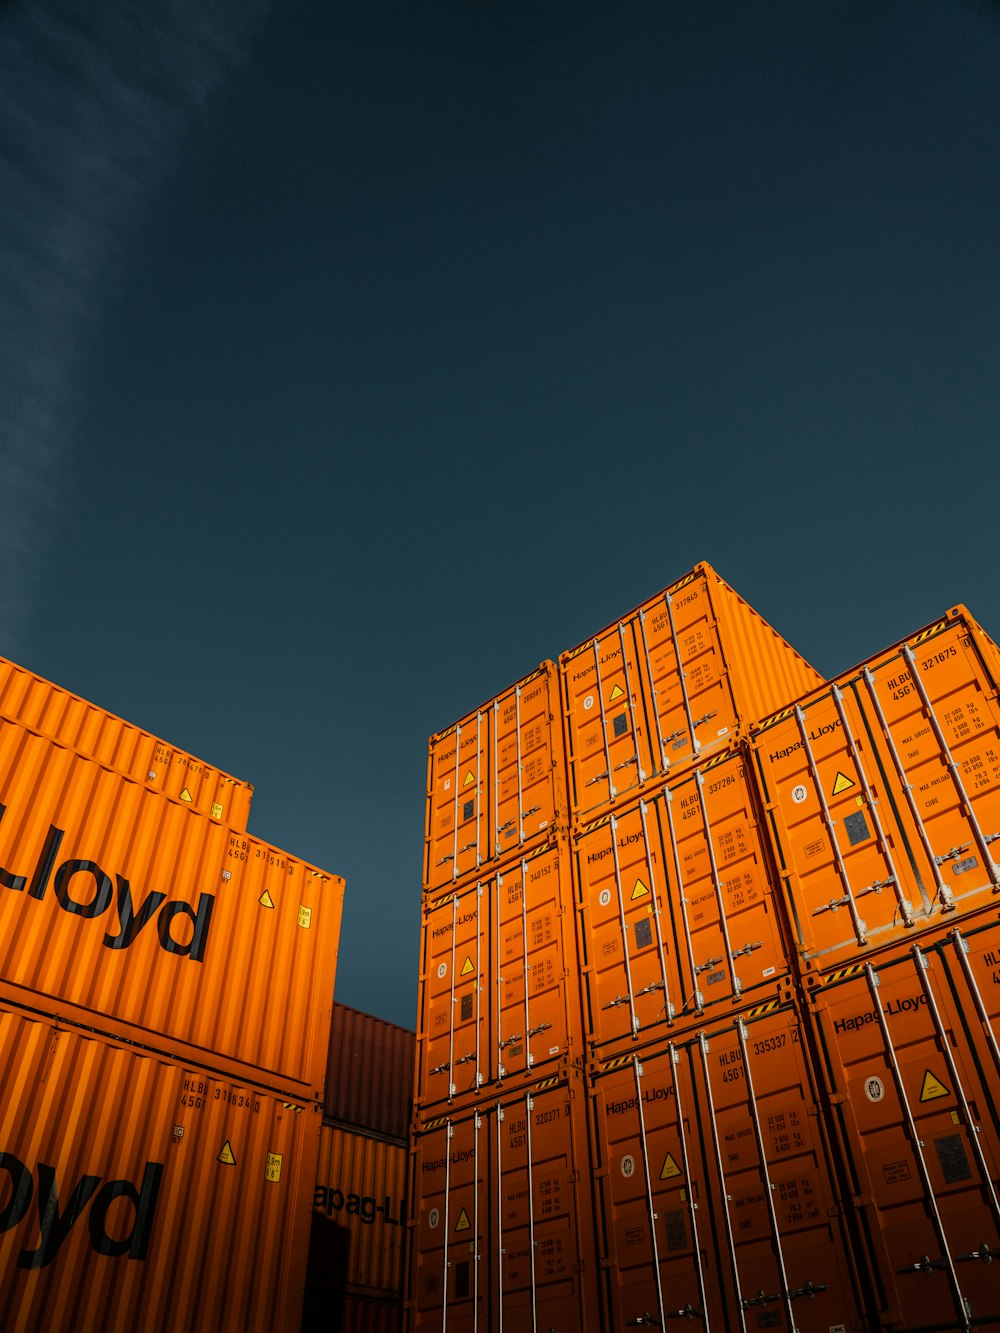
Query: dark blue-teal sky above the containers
point(357, 358)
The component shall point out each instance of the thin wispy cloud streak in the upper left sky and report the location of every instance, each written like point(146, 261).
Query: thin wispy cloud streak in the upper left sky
point(95, 105)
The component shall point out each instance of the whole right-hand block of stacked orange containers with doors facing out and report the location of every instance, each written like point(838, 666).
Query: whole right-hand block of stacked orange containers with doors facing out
point(782, 1096)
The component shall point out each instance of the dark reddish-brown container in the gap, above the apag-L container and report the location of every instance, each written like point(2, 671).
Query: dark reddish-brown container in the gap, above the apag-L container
point(370, 1074)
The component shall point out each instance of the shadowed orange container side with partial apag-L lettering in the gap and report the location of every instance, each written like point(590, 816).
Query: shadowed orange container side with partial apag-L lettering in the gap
point(362, 1187)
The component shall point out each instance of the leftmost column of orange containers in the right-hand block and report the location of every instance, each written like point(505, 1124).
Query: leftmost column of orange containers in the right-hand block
point(502, 1231)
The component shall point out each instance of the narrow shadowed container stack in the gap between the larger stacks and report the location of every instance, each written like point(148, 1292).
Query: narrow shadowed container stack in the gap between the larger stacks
point(355, 1272)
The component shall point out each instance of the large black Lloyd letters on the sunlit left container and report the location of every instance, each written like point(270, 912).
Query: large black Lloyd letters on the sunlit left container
point(83, 890)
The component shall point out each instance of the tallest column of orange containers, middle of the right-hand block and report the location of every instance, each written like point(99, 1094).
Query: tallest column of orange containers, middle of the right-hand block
point(714, 1190)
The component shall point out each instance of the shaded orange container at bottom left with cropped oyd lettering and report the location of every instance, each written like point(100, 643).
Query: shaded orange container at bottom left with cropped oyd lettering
point(145, 1196)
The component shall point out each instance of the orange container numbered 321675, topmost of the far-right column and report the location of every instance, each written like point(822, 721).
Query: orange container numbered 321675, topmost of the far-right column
point(883, 791)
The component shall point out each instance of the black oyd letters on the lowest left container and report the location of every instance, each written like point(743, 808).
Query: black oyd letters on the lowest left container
point(55, 1219)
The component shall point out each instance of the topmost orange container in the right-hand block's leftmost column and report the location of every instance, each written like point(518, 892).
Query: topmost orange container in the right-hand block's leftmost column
point(495, 782)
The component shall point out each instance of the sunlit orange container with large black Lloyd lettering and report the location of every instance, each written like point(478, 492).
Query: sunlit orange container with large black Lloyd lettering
point(139, 916)
